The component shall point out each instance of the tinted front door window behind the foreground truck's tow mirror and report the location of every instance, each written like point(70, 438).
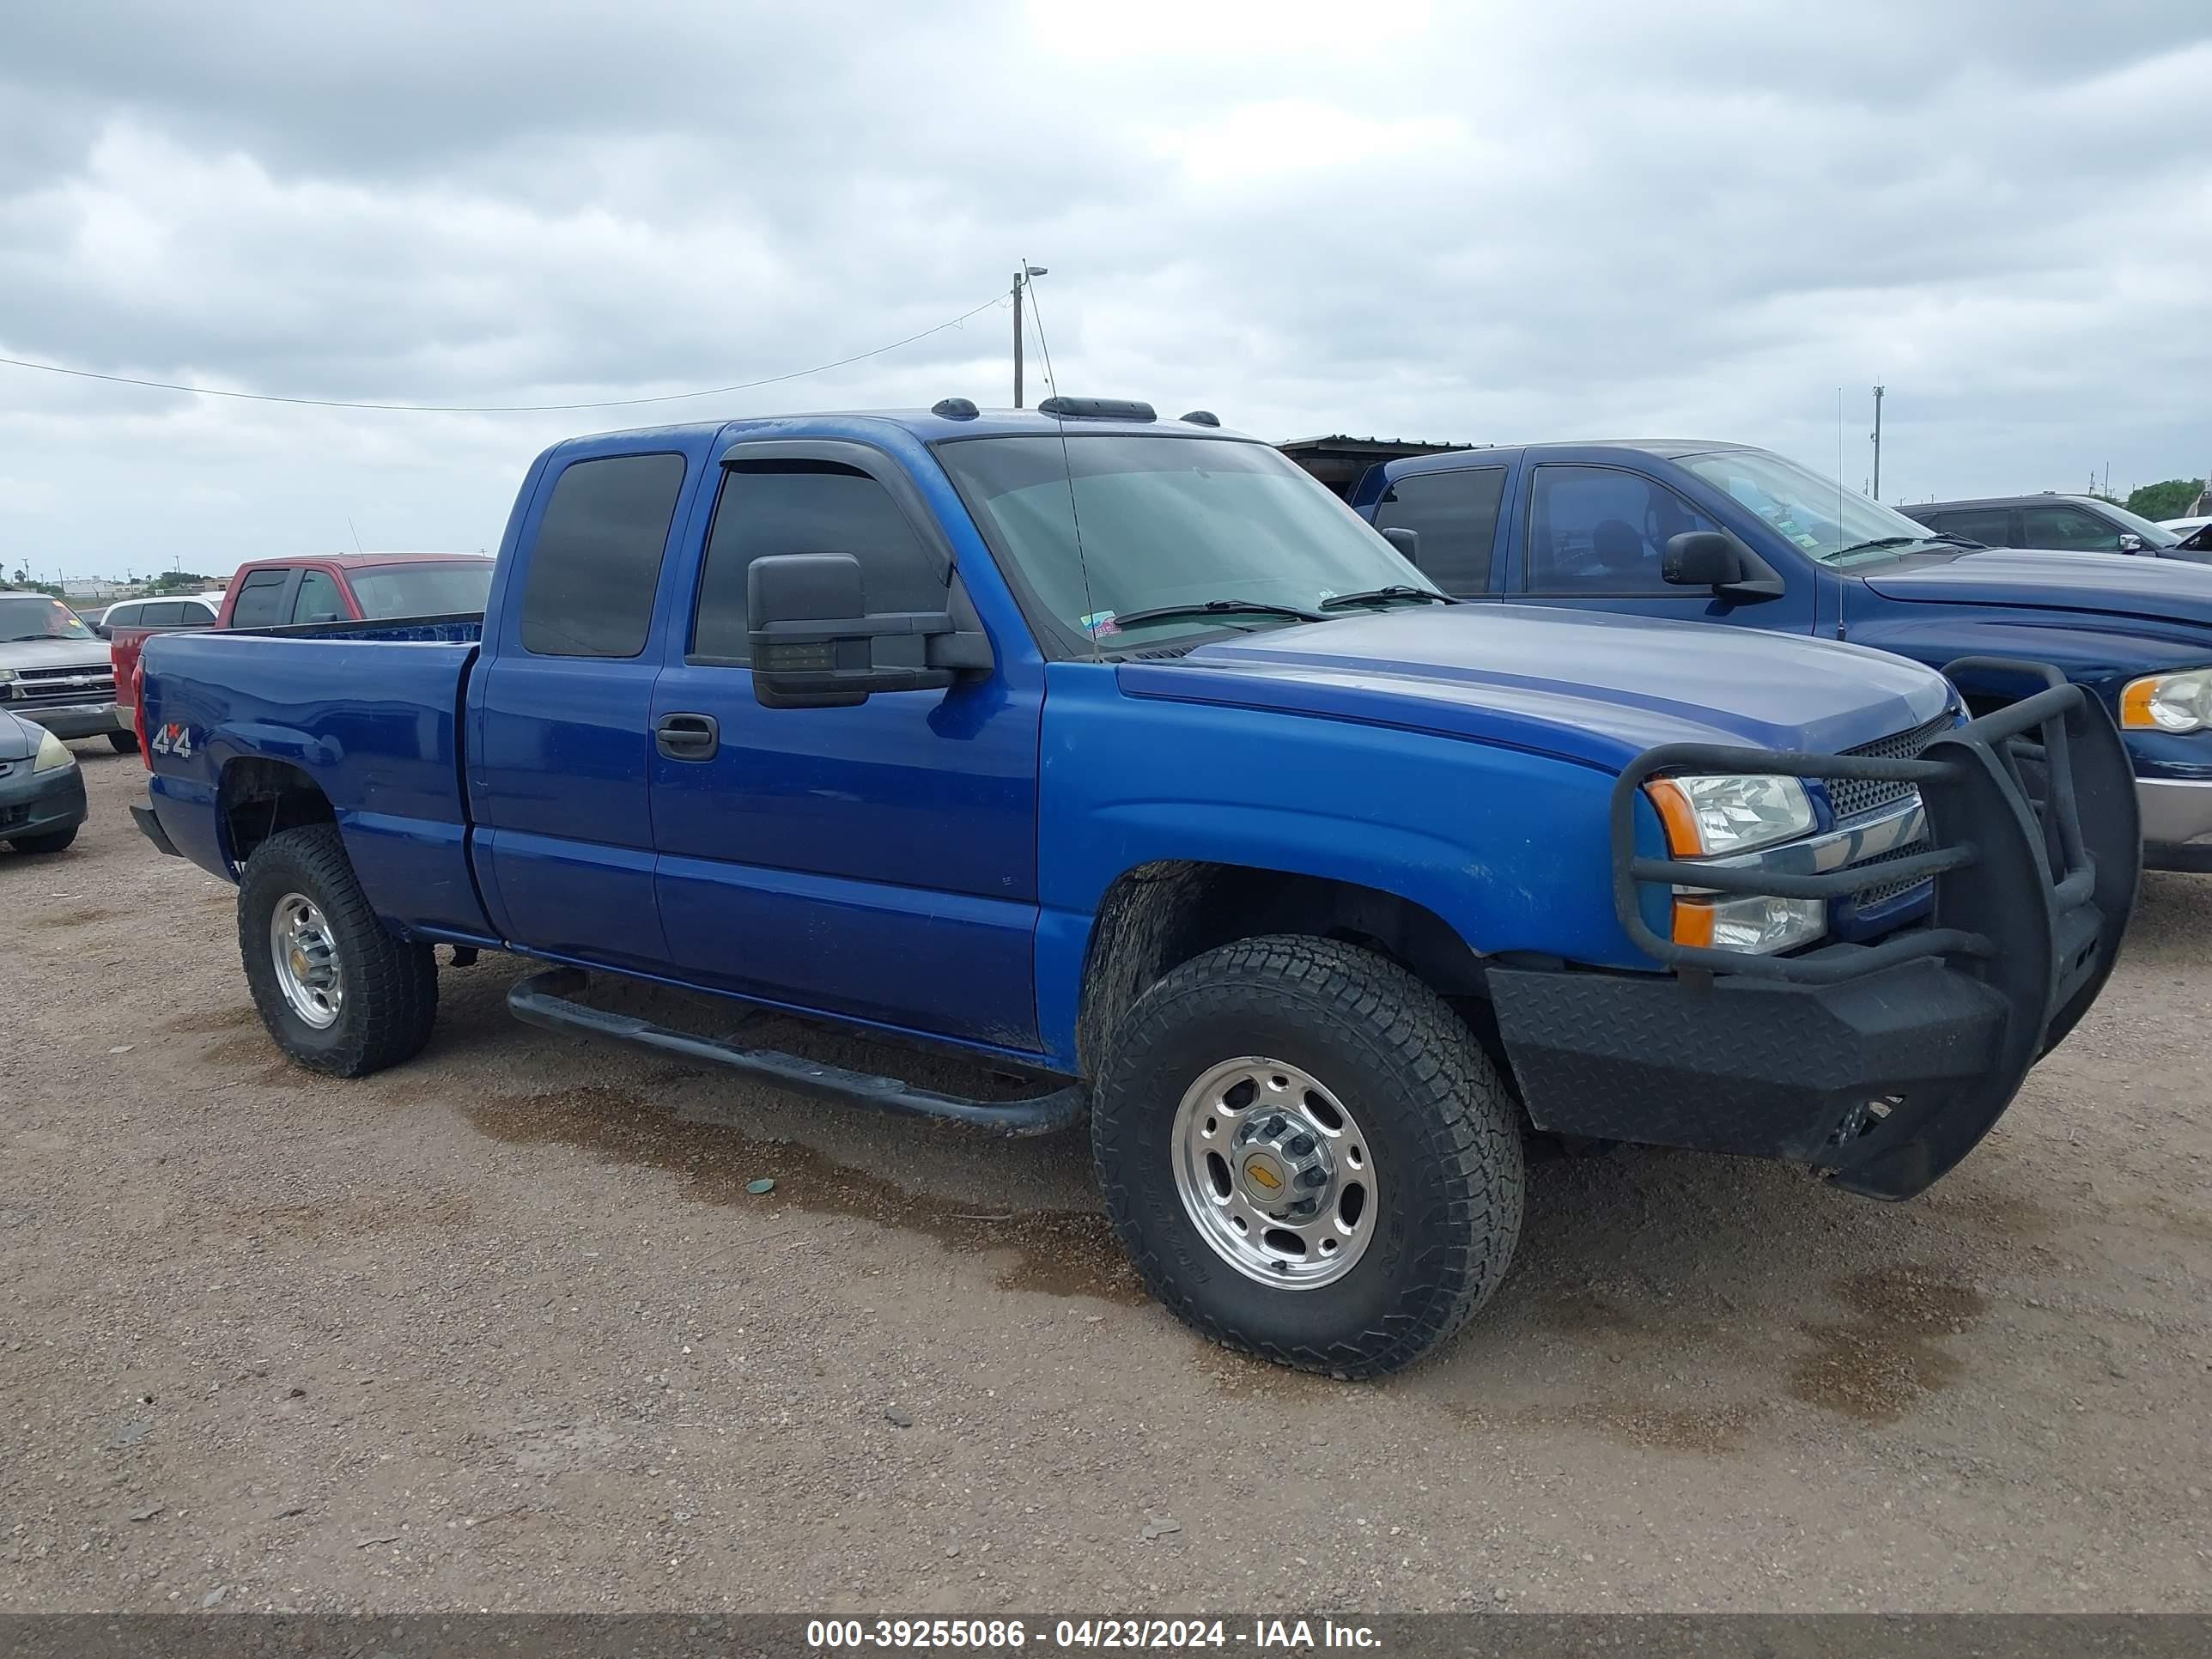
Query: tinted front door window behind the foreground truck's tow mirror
point(806, 508)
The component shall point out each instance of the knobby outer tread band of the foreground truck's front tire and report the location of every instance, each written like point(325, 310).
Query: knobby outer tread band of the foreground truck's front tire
point(1470, 1134)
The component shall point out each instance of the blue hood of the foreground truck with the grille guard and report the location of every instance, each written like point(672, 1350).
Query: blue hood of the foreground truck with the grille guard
point(1589, 687)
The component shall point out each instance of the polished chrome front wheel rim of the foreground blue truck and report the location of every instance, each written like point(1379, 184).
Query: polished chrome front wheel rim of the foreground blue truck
point(1275, 1173)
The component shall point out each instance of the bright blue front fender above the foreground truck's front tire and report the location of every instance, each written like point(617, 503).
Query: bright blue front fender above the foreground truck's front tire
point(1507, 848)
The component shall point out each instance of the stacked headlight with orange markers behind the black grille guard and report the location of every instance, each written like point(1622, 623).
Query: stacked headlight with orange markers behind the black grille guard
point(1711, 817)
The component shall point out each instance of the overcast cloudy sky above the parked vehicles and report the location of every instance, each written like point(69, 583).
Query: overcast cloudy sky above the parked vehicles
point(1479, 222)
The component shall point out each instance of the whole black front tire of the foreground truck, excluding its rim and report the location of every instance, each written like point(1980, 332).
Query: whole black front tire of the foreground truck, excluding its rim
point(1434, 1112)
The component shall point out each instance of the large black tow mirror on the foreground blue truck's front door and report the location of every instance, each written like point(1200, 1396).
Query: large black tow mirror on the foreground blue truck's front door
point(815, 643)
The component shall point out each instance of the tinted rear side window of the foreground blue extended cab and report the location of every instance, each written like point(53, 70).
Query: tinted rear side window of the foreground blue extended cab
point(598, 559)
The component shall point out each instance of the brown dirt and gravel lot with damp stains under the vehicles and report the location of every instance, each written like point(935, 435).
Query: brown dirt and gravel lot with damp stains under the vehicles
point(505, 1331)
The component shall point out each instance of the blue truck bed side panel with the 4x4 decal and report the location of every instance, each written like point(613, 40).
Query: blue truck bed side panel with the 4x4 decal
point(371, 713)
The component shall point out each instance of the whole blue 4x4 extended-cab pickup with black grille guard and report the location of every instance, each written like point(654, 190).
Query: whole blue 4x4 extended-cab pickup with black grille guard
point(1118, 753)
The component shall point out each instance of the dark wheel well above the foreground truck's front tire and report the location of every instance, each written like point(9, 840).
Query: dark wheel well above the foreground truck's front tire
point(1162, 915)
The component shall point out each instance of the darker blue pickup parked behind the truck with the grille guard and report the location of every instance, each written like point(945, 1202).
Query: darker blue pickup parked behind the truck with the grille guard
point(1711, 532)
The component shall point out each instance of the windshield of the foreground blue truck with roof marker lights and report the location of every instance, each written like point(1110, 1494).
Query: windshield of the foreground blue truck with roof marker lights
point(1167, 523)
